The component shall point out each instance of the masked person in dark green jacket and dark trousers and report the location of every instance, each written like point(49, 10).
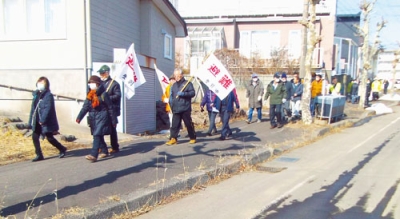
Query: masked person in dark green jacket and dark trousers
point(277, 93)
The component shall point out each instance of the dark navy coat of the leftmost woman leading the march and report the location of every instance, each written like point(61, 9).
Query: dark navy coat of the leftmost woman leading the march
point(43, 111)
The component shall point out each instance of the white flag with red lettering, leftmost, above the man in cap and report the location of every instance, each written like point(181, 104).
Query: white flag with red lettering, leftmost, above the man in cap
point(130, 73)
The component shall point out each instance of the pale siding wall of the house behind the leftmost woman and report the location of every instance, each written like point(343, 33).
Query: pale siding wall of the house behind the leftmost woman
point(61, 60)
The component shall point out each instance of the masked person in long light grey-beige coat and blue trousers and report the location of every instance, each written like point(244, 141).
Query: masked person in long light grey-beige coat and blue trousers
point(254, 93)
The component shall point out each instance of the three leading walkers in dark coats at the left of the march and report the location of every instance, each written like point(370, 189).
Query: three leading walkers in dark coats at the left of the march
point(102, 104)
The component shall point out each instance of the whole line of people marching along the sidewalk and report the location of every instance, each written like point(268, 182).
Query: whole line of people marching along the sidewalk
point(102, 104)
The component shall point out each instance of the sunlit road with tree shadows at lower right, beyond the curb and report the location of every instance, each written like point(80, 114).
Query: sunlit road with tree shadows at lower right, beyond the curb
point(351, 174)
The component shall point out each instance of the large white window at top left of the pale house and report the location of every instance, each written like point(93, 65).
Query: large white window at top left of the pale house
point(32, 19)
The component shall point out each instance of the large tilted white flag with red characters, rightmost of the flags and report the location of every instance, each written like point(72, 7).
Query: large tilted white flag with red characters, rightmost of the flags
point(216, 77)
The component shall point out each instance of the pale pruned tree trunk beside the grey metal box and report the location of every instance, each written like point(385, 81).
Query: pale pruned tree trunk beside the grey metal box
point(312, 41)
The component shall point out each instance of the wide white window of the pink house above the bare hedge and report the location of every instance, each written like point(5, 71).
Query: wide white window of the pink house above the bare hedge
point(259, 44)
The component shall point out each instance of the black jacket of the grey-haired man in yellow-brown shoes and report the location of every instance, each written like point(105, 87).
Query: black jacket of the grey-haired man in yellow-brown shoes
point(182, 103)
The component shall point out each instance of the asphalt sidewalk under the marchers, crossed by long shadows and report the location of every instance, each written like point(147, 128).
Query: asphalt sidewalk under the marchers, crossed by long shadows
point(142, 165)
